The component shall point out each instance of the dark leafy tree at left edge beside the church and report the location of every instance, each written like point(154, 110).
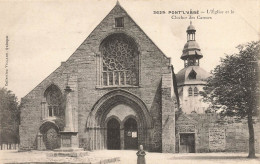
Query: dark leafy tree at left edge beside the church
point(9, 117)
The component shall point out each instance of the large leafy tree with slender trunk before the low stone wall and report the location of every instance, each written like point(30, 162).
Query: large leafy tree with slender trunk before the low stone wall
point(233, 88)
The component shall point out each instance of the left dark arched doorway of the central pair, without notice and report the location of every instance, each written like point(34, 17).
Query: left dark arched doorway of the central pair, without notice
point(113, 134)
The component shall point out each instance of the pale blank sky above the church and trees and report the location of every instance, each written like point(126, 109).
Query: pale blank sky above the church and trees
point(42, 33)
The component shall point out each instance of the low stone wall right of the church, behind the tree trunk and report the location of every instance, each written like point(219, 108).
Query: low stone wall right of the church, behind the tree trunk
point(215, 134)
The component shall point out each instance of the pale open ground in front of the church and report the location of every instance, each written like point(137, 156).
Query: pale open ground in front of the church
point(129, 157)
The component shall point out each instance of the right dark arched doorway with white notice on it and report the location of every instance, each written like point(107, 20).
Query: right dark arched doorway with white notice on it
point(130, 134)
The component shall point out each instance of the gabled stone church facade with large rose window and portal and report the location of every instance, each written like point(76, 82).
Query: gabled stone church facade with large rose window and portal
point(114, 92)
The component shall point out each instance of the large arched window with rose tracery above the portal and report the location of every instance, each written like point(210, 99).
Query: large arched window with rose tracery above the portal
point(120, 61)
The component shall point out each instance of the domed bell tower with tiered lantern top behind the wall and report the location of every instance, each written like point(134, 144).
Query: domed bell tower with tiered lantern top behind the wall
point(192, 78)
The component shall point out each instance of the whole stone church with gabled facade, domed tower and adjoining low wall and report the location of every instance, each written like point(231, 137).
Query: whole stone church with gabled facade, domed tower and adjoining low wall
point(118, 90)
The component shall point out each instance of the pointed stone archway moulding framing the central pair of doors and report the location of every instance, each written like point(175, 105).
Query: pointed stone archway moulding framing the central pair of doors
point(109, 101)
